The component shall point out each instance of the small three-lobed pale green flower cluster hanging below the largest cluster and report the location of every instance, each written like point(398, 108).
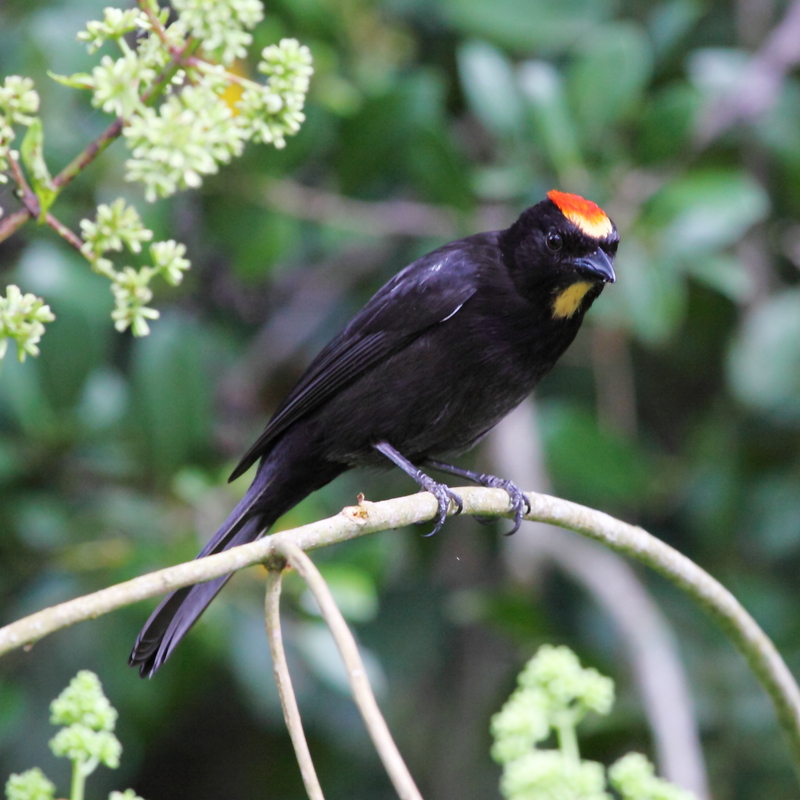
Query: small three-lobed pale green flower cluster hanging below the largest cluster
point(118, 226)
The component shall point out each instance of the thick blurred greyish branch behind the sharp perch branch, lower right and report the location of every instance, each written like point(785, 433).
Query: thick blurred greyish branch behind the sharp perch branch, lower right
point(613, 583)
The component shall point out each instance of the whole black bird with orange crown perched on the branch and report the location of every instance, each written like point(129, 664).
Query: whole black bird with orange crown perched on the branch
point(432, 362)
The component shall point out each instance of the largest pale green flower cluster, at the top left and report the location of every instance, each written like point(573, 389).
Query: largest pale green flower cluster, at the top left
point(193, 129)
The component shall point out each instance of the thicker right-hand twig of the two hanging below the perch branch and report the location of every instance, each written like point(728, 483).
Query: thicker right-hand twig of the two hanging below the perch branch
point(359, 684)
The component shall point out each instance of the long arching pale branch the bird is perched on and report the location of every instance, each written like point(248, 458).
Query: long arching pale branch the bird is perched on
point(764, 660)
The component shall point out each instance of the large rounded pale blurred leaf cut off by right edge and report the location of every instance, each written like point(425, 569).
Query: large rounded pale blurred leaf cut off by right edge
point(764, 361)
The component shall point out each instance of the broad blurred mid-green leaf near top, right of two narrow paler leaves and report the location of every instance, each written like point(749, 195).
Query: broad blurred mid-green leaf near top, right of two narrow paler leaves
point(608, 76)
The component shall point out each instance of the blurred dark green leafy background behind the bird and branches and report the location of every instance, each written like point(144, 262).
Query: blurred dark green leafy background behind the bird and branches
point(114, 452)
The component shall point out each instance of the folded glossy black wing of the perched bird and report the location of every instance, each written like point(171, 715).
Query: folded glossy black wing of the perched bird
point(427, 292)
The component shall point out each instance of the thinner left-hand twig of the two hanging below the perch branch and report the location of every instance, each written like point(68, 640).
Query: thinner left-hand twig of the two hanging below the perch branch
point(283, 680)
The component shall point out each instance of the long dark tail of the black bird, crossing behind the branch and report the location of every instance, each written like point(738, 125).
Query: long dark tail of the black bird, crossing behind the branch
point(275, 490)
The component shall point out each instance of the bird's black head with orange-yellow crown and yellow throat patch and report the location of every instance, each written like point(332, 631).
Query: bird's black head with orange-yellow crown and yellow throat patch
point(563, 249)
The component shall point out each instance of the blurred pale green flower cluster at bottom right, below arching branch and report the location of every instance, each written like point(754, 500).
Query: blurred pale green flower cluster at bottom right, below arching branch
point(554, 694)
